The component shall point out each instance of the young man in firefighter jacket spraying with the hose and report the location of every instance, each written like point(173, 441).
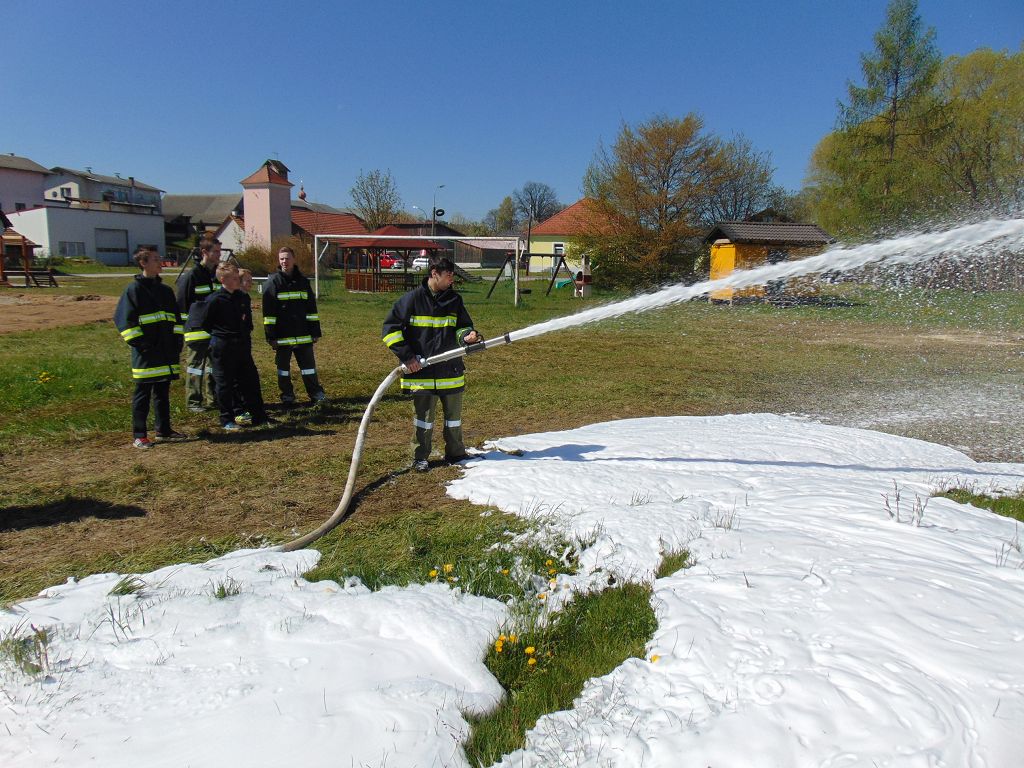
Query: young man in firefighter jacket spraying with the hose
point(428, 321)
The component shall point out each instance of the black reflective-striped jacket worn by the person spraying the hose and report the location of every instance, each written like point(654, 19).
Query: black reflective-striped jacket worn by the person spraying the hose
point(422, 324)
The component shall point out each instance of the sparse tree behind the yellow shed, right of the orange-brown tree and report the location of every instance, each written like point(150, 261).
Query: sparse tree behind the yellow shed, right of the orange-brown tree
point(743, 185)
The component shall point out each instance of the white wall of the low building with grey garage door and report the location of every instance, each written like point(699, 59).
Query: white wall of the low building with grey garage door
point(51, 227)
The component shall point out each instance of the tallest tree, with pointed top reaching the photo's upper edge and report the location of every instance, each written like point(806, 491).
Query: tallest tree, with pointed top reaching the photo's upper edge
point(870, 173)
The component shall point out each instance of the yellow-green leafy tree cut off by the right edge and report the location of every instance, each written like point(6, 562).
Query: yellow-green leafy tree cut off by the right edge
point(980, 156)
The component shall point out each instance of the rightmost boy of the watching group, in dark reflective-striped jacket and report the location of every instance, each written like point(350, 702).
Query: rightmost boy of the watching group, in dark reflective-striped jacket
point(292, 327)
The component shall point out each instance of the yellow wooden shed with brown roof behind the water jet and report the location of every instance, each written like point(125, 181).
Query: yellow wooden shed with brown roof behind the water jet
point(761, 240)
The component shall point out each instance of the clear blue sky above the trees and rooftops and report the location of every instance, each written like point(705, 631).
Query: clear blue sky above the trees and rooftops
point(481, 97)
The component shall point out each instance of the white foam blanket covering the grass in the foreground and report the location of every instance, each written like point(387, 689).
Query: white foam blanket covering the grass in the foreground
point(815, 631)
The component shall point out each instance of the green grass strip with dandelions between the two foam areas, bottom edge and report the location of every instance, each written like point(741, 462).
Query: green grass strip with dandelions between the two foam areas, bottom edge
point(544, 668)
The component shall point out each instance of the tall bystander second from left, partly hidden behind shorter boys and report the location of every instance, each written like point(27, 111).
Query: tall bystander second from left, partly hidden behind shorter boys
point(199, 284)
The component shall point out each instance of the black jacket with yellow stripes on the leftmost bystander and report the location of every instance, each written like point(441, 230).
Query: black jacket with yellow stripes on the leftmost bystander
point(149, 320)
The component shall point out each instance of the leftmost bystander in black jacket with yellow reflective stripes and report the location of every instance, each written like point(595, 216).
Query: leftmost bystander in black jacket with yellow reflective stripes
point(149, 320)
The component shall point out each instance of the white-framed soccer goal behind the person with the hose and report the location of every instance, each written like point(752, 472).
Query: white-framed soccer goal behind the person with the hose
point(396, 263)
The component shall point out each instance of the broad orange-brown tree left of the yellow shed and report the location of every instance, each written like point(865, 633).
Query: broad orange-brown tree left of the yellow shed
point(650, 192)
